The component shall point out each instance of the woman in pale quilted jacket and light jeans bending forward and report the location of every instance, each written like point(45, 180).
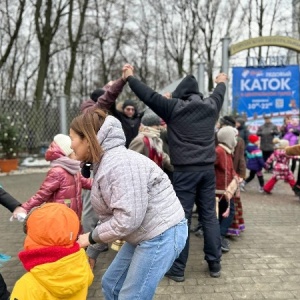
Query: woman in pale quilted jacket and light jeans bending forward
point(135, 202)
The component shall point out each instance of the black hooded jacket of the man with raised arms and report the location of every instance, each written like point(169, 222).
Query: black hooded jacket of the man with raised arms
point(190, 118)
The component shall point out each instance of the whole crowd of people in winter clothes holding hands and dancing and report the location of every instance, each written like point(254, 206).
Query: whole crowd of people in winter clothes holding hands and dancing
point(135, 177)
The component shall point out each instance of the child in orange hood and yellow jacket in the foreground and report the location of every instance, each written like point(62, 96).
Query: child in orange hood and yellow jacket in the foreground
point(56, 266)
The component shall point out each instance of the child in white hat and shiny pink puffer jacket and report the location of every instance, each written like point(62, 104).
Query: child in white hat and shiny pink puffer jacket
point(64, 182)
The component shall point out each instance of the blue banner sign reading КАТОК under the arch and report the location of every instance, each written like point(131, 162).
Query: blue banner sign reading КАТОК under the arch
point(270, 91)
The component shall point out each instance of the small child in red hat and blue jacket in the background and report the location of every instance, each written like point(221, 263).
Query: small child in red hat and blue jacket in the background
point(255, 162)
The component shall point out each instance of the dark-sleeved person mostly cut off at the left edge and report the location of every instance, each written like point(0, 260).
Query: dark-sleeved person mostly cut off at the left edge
point(13, 206)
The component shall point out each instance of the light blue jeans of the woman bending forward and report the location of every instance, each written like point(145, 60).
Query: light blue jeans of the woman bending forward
point(137, 270)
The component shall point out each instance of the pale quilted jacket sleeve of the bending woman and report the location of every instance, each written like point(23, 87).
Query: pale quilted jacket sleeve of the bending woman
point(127, 197)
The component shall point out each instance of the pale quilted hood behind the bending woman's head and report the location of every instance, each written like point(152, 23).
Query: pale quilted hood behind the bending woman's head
point(111, 134)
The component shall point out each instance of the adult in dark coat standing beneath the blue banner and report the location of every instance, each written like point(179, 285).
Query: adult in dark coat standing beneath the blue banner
point(267, 132)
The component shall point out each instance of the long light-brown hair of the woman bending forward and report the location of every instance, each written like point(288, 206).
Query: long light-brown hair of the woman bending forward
point(87, 126)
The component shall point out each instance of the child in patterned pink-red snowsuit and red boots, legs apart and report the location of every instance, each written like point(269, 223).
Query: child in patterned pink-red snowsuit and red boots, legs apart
point(280, 162)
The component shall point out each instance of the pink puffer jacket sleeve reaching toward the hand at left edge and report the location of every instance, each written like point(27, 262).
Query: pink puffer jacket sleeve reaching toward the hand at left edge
point(50, 185)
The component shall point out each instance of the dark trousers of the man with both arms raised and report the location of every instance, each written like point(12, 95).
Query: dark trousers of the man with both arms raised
point(198, 186)
